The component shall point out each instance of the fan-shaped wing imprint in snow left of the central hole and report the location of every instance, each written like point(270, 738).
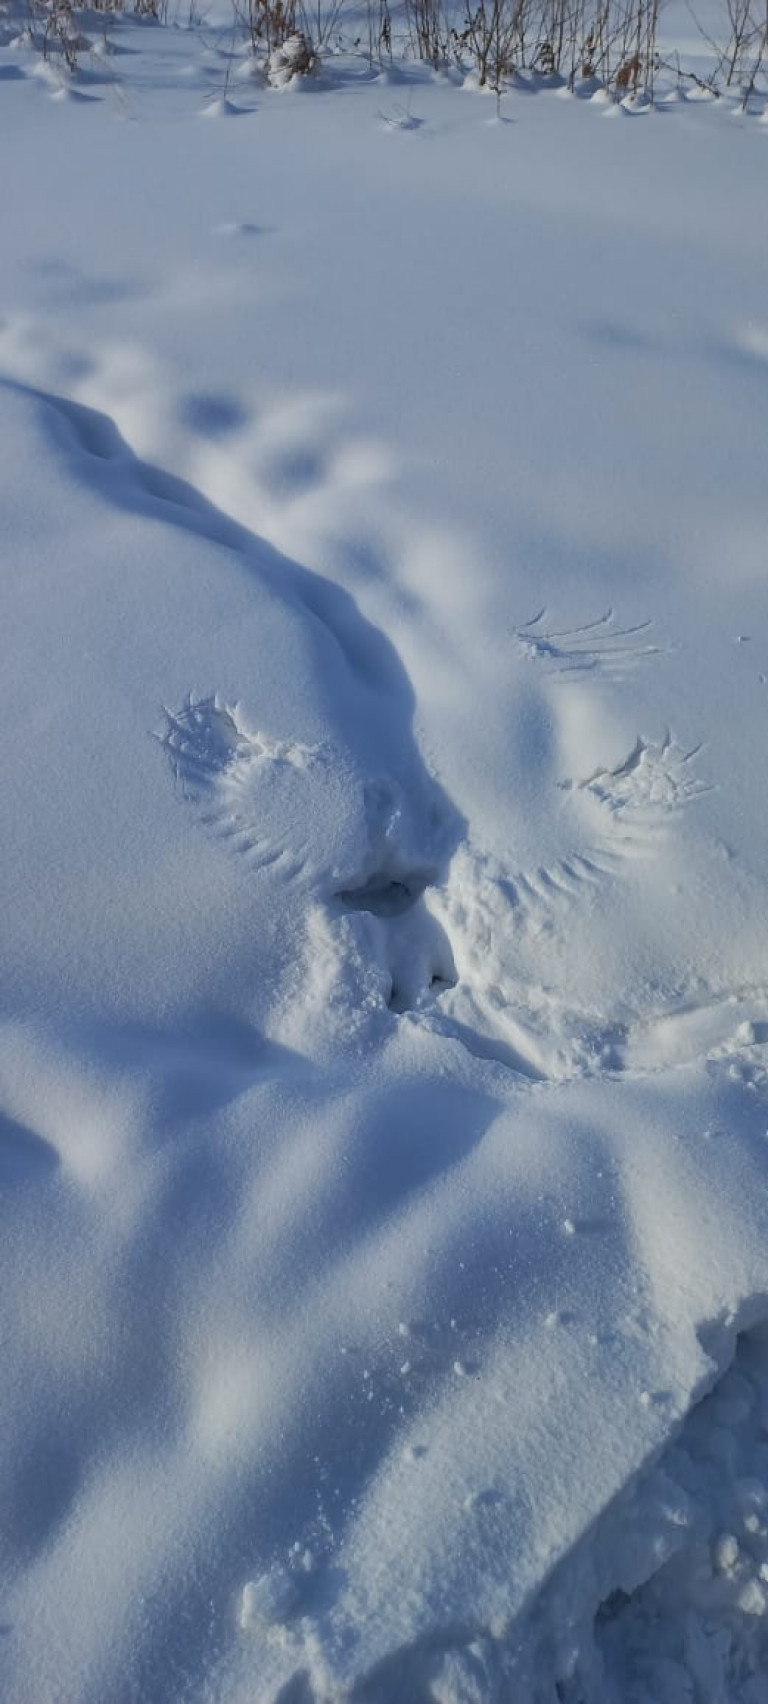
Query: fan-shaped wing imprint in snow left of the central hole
point(222, 766)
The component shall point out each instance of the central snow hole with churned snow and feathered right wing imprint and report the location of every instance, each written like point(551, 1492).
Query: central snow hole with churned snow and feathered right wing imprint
point(464, 941)
